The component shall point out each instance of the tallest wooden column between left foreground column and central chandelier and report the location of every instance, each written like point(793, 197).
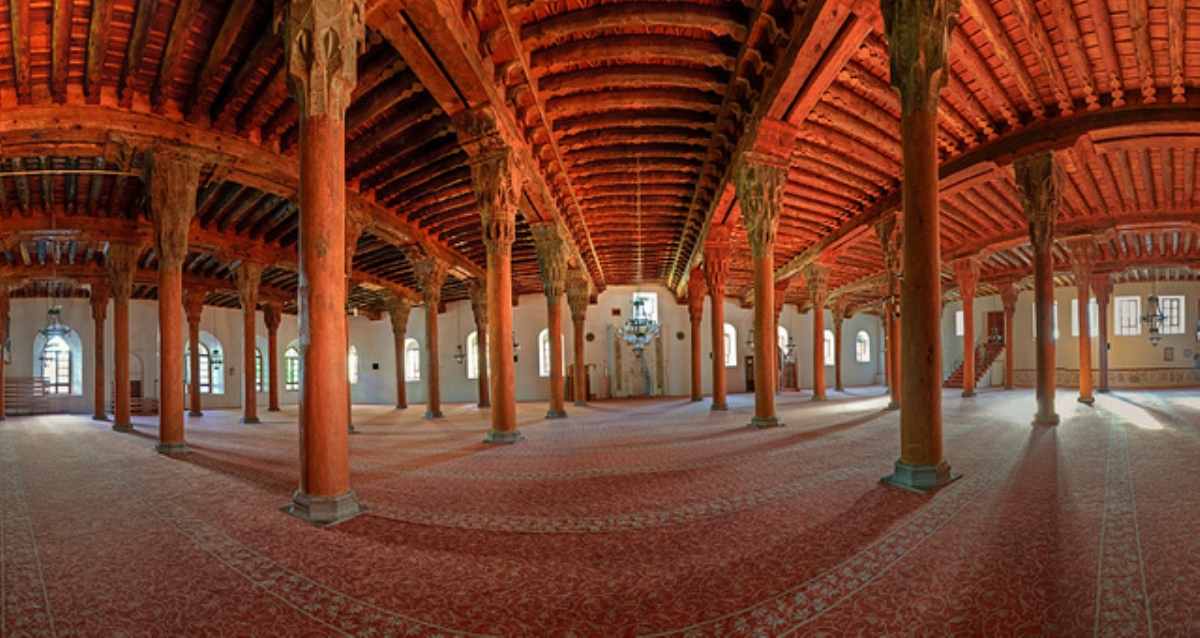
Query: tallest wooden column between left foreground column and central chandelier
point(497, 182)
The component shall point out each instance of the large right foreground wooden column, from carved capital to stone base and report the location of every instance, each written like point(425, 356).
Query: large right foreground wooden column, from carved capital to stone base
point(919, 45)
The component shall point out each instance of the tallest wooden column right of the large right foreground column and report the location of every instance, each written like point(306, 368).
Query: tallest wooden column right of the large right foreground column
point(1040, 182)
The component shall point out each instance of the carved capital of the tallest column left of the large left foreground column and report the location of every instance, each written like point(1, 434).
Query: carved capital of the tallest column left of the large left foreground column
point(175, 183)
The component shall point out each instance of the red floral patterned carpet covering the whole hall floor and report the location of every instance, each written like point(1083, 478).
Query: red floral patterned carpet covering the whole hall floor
point(653, 517)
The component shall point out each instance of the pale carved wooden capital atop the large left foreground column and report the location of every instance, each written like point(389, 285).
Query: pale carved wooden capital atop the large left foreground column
point(322, 41)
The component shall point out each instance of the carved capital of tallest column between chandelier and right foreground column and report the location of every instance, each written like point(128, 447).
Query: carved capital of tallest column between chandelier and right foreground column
point(760, 186)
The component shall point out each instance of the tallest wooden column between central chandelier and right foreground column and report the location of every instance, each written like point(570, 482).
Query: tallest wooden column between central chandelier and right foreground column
point(760, 178)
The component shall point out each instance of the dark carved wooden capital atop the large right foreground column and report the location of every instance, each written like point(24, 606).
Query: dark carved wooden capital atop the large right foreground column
point(919, 34)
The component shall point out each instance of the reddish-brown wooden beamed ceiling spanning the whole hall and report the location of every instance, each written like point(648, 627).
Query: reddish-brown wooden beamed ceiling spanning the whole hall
point(628, 117)
